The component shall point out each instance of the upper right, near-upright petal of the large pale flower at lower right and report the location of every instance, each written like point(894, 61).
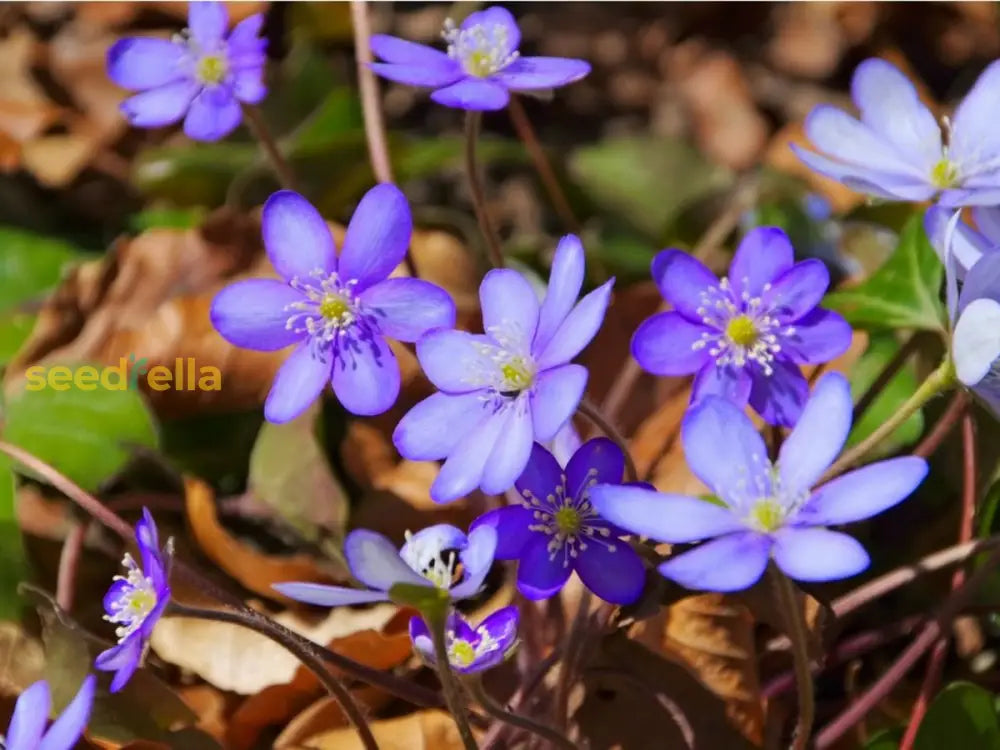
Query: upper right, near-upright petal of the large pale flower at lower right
point(819, 435)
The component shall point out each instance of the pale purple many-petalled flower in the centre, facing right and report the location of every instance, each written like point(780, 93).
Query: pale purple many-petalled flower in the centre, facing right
point(502, 390)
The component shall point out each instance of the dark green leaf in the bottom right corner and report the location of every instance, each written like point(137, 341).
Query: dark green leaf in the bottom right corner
point(962, 715)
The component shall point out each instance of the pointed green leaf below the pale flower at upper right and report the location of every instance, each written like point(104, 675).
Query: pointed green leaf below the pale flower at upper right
point(905, 292)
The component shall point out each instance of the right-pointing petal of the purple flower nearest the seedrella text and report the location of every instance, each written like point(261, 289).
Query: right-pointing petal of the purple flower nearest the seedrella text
point(409, 308)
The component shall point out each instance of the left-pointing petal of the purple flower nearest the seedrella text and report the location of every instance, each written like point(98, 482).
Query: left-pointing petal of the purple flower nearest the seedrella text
point(253, 313)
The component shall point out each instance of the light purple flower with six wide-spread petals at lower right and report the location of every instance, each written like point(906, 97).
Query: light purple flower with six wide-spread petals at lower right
point(766, 511)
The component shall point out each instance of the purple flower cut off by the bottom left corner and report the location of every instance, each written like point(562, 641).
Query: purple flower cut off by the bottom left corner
point(31, 713)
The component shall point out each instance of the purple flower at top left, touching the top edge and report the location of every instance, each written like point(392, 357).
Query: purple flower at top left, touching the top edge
point(200, 75)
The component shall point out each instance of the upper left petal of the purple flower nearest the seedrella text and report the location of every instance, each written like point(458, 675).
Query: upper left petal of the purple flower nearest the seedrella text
point(296, 237)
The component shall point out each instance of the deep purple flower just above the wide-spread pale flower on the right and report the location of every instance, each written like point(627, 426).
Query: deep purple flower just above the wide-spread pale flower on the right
point(746, 335)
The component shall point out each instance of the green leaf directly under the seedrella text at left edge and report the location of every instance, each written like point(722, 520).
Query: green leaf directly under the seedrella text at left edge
point(88, 435)
